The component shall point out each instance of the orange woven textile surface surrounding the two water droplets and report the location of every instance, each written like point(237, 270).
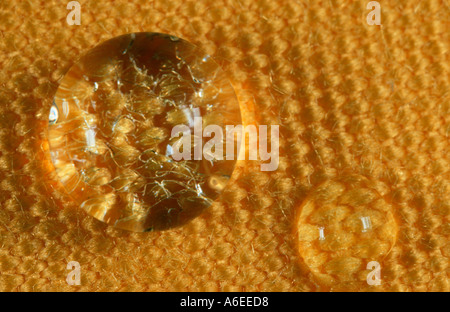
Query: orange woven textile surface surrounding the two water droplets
point(351, 99)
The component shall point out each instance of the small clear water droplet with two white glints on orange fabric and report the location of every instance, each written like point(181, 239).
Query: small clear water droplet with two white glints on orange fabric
point(343, 223)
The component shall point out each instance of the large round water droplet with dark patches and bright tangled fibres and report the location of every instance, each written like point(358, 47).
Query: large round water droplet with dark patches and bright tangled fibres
point(112, 144)
